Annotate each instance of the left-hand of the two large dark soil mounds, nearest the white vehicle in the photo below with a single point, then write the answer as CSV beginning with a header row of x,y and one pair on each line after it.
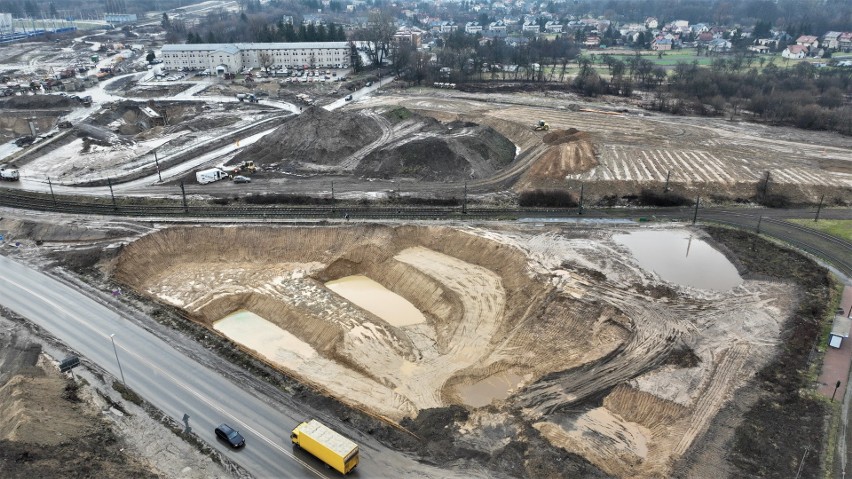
x,y
317,136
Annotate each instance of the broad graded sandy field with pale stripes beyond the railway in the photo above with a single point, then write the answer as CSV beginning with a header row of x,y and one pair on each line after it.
x,y
635,147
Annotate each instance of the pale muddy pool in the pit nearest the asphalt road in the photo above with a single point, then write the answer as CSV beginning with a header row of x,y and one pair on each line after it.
x,y
266,338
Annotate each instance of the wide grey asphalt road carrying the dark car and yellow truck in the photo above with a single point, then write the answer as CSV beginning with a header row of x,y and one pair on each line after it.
x,y
178,385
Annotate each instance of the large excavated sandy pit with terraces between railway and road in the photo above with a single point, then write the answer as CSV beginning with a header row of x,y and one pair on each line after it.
x,y
568,312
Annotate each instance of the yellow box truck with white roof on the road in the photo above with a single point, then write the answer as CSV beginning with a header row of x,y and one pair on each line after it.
x,y
330,447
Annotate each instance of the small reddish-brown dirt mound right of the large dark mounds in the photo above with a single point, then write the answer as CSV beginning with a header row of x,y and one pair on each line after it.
x,y
568,152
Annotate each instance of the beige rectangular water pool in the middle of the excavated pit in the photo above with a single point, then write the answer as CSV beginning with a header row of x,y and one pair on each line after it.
x,y
375,298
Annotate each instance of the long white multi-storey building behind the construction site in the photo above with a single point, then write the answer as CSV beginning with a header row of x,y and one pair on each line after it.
x,y
233,57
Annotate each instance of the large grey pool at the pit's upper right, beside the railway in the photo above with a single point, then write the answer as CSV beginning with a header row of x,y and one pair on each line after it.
x,y
679,257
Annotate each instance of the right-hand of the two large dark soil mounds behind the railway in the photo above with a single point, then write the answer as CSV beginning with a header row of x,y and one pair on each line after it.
x,y
459,150
